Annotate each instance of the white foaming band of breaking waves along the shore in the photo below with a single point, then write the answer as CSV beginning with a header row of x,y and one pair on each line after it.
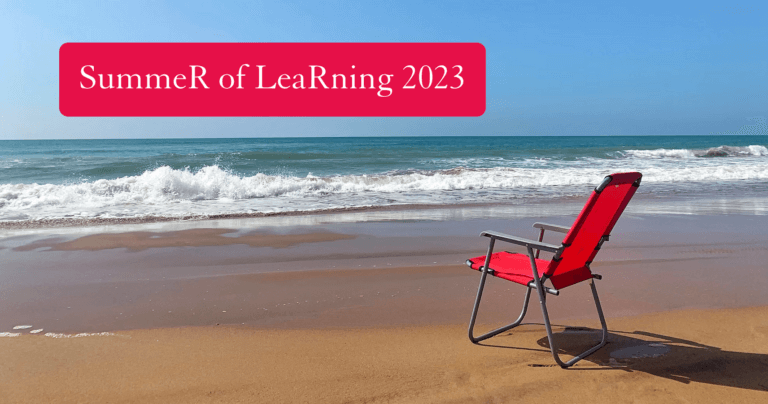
x,y
213,190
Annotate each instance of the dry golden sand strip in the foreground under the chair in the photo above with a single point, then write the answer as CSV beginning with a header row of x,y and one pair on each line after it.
x,y
710,356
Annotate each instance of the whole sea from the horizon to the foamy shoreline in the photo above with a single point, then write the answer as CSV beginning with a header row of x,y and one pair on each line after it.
x,y
176,178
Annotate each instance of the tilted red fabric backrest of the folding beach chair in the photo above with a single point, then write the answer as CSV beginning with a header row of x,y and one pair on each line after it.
x,y
591,228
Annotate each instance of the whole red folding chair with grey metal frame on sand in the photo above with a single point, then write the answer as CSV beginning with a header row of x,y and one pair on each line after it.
x,y
570,263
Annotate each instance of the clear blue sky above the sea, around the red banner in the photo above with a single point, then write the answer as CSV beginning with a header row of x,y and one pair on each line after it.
x,y
553,68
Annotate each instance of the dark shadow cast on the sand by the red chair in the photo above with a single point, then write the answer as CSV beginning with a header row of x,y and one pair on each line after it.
x,y
663,356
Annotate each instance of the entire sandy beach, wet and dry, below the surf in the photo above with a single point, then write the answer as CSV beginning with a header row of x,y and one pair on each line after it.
x,y
376,311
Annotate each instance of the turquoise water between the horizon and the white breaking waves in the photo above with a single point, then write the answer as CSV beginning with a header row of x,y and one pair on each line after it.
x,y
62,161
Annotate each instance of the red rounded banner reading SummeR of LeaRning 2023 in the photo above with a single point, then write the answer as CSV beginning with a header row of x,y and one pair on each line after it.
x,y
272,79
